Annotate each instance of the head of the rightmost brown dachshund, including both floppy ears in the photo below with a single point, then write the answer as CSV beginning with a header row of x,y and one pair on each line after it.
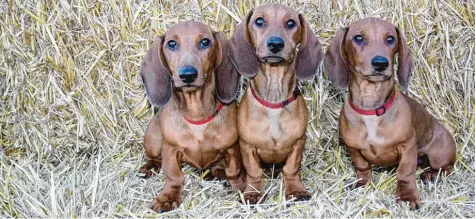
x,y
367,49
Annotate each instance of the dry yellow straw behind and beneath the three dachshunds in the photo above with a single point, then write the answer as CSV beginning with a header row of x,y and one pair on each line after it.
x,y
73,110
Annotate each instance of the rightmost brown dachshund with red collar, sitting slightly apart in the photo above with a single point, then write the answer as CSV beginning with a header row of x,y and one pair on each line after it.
x,y
379,124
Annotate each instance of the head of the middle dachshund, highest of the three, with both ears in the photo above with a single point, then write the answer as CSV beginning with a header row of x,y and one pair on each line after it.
x,y
271,34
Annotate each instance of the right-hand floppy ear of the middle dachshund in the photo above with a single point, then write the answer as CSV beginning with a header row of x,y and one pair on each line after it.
x,y
310,52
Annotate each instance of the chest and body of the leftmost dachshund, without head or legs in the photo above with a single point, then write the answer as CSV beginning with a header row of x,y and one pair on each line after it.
x,y
198,145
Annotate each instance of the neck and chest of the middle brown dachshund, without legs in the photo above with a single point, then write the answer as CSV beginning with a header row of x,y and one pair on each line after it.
x,y
273,131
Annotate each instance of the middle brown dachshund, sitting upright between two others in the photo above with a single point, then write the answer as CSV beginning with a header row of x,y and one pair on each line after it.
x,y
274,46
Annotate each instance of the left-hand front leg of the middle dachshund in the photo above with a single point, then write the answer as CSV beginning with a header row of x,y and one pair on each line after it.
x,y
254,177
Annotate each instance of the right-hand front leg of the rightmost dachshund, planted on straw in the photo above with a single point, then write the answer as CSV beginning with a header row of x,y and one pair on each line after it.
x,y
406,185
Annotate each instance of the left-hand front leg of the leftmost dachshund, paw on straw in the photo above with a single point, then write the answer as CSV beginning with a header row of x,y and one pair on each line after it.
x,y
171,196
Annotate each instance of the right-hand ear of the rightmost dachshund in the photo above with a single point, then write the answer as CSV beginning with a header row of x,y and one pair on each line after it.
x,y
405,61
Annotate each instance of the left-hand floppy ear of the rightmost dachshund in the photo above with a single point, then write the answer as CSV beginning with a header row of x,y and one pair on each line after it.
x,y
335,62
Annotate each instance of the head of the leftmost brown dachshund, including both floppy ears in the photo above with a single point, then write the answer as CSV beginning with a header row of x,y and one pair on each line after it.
x,y
184,57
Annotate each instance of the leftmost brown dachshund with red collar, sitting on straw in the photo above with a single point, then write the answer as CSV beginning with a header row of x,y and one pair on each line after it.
x,y
187,74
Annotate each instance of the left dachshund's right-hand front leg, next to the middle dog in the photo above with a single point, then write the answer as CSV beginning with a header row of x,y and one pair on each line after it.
x,y
234,168
